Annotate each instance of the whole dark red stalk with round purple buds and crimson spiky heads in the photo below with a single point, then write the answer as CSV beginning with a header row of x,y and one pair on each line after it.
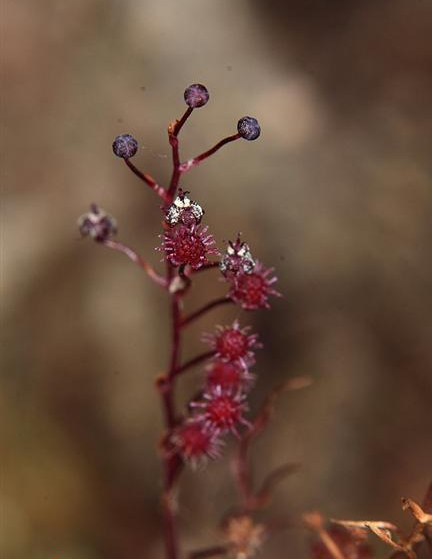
x,y
194,435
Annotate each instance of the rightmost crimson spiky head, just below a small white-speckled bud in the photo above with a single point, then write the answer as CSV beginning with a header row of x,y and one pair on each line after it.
x,y
252,291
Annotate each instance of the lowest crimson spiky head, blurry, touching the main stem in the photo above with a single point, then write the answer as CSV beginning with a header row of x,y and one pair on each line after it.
x,y
196,442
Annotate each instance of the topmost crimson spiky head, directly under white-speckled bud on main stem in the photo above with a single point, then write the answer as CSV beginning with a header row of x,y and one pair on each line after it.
x,y
188,246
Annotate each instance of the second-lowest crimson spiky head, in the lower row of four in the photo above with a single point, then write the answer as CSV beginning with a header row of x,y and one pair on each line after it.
x,y
222,410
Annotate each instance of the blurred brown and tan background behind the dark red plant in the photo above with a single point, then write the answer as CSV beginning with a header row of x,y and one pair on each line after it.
x,y
336,195
